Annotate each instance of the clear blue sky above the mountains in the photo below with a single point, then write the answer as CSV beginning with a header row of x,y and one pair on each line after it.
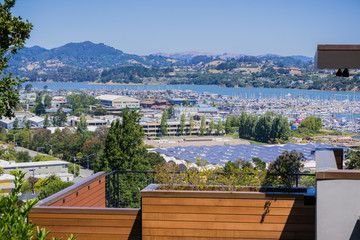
x,y
254,27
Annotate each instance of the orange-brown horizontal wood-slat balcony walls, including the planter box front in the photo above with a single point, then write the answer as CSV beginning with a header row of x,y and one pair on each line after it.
x,y
80,210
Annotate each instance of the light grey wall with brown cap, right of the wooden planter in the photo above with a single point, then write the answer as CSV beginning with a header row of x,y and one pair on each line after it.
x,y
338,205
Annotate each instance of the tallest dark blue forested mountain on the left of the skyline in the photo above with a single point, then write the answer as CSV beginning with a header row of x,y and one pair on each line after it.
x,y
85,55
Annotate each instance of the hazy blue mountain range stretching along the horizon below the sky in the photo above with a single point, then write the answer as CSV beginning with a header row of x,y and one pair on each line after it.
x,y
88,55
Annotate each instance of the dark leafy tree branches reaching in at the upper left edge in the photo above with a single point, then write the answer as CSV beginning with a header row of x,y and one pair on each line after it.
x,y
13,33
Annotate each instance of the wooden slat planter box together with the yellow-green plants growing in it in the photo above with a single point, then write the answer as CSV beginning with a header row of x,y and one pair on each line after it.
x,y
231,202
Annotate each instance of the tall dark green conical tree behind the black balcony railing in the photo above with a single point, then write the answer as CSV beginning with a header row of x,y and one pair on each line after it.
x,y
124,148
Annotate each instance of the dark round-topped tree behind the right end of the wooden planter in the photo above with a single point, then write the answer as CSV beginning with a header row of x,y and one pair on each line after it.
x,y
280,171
